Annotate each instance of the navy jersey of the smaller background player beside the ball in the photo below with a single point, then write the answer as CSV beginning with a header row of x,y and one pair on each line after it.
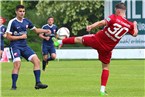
x,y
53,29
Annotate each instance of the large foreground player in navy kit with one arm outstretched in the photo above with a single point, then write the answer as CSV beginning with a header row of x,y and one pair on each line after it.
x,y
17,34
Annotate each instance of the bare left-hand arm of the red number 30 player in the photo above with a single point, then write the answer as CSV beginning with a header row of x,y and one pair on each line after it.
x,y
96,24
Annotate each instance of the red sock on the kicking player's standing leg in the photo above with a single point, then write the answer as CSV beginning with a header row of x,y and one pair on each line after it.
x,y
104,77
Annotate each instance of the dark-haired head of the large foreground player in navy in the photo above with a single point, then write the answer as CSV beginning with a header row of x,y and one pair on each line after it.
x,y
20,11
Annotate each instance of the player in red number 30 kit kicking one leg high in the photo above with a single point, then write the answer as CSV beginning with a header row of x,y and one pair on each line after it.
x,y
104,41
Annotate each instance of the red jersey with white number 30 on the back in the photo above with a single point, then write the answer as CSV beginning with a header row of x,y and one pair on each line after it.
x,y
116,28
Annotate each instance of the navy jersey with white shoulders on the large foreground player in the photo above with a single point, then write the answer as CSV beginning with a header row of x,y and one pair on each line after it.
x,y
18,28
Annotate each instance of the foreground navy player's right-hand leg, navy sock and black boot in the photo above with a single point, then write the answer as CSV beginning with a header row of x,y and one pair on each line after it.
x,y
35,60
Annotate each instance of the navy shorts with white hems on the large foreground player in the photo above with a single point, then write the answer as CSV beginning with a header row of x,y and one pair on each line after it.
x,y
18,52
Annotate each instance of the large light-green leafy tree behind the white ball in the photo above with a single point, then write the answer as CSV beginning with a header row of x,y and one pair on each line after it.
x,y
73,14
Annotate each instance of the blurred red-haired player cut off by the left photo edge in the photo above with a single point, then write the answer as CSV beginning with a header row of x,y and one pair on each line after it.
x,y
2,35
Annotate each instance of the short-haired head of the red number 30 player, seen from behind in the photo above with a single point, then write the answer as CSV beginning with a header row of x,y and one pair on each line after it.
x,y
120,9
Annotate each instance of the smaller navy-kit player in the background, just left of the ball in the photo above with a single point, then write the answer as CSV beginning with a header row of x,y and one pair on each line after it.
x,y
47,44
